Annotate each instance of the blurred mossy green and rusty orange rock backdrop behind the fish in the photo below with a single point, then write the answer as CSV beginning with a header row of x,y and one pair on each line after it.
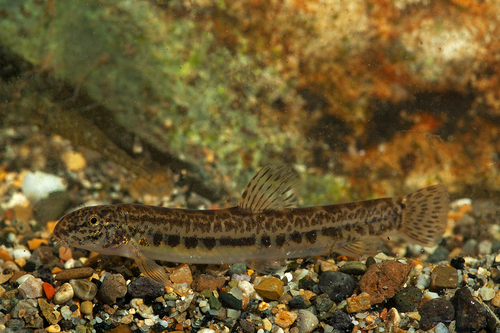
x,y
365,98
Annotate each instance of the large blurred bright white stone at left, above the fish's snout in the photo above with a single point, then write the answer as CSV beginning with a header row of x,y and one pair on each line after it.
x,y
39,185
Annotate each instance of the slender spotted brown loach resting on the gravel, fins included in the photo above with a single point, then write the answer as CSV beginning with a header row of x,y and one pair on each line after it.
x,y
263,230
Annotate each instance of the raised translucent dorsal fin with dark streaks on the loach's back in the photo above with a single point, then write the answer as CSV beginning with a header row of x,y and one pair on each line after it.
x,y
271,188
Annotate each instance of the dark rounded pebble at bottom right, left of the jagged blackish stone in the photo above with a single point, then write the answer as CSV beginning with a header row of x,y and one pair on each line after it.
x,y
436,311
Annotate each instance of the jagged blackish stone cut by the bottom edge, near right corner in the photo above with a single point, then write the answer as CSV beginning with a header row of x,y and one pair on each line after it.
x,y
470,313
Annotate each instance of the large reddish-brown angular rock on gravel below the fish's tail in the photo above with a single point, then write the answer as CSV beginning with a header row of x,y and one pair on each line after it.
x,y
383,280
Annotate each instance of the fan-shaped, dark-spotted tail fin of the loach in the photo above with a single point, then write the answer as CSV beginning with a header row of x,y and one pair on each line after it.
x,y
425,215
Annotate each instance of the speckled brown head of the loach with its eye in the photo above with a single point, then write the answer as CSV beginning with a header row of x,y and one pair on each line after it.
x,y
98,228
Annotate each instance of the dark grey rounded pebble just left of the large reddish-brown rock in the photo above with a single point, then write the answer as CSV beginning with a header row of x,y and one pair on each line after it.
x,y
337,285
